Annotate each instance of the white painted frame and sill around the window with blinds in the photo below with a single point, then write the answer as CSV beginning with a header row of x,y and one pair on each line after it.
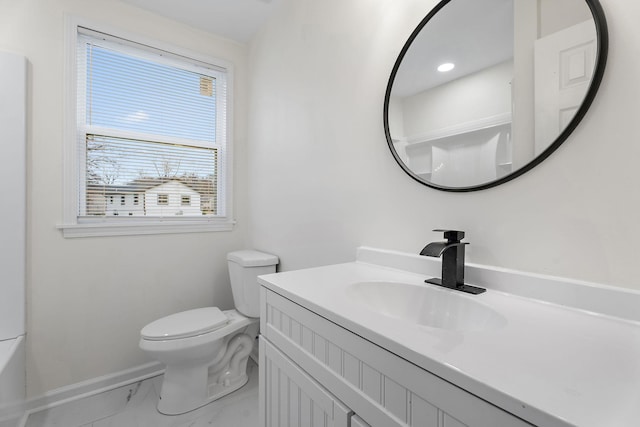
x,y
75,225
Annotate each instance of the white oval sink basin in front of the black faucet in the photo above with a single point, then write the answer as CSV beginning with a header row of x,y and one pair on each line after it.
x,y
426,305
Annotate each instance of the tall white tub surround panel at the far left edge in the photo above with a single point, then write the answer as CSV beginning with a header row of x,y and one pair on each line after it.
x,y
13,96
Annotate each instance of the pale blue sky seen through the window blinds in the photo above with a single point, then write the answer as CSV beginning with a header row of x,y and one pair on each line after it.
x,y
133,94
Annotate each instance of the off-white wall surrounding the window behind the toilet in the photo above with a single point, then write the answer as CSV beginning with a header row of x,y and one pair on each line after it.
x,y
88,298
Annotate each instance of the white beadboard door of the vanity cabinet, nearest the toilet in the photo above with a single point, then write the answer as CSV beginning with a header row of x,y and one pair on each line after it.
x,y
289,397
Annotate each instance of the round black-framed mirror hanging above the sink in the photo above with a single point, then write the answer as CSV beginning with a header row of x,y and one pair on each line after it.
x,y
484,90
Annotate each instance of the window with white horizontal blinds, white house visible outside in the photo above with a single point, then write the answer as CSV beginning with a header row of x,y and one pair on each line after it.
x,y
152,124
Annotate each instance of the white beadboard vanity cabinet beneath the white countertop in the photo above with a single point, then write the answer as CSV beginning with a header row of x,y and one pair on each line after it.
x,y
316,373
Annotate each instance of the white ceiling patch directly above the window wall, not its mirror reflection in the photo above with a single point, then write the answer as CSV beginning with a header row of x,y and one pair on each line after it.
x,y
238,20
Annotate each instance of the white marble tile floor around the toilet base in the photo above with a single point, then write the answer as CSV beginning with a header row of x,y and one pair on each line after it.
x,y
135,406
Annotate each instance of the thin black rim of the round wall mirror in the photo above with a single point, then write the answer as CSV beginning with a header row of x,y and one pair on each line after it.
x,y
602,52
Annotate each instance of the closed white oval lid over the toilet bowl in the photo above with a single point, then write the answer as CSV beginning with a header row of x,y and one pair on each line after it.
x,y
185,324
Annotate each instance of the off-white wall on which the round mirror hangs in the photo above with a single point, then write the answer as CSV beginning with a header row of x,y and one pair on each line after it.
x,y
322,180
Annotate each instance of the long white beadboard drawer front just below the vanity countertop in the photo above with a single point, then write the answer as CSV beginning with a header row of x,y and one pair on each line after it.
x,y
382,388
